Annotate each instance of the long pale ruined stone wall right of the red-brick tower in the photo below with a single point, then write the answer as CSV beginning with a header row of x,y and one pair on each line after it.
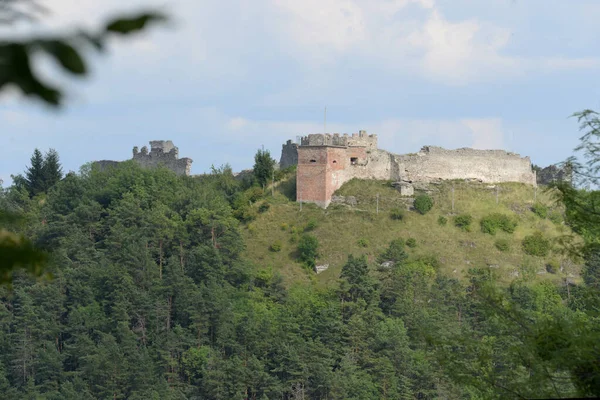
x,y
436,163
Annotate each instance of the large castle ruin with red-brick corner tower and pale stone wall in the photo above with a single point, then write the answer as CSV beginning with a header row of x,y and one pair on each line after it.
x,y
326,161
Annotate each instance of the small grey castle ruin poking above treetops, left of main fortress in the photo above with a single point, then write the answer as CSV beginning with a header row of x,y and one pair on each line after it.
x,y
162,153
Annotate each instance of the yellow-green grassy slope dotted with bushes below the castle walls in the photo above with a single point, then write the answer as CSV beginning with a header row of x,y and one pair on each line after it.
x,y
343,230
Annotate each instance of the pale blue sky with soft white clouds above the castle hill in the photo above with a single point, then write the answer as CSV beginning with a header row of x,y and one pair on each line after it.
x,y
225,78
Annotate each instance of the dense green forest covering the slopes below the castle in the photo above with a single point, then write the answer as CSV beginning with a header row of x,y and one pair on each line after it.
x,y
155,294
